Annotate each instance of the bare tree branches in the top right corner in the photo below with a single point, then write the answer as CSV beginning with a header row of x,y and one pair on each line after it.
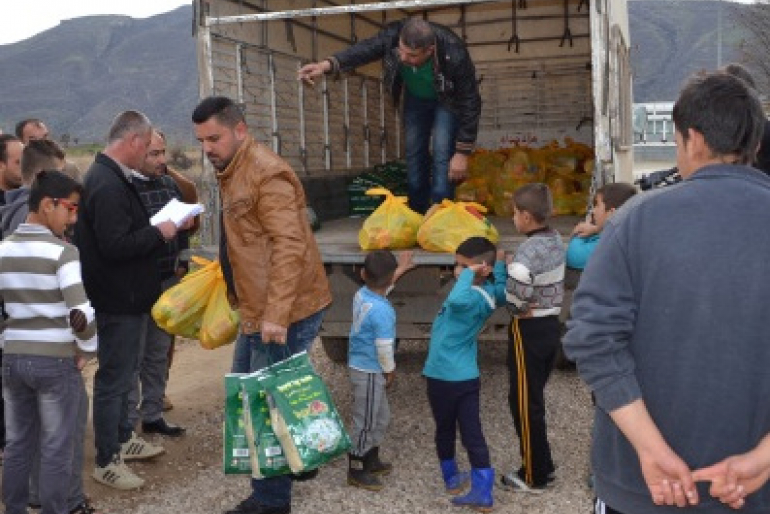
x,y
755,20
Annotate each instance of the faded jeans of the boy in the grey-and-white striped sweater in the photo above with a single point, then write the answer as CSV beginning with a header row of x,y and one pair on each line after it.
x,y
41,394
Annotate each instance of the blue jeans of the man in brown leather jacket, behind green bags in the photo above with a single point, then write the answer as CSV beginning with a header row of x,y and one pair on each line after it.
x,y
251,354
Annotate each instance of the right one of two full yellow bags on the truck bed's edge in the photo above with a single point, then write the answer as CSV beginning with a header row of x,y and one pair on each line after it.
x,y
451,223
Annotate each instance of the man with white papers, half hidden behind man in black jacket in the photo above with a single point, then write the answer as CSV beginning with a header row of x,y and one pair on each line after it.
x,y
157,191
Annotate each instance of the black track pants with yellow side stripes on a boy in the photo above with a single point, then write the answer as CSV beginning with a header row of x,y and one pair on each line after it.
x,y
539,342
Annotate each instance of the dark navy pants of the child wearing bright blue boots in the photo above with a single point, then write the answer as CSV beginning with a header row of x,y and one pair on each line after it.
x,y
456,404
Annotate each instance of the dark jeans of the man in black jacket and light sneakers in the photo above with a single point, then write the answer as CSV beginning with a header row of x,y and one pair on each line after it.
x,y
120,336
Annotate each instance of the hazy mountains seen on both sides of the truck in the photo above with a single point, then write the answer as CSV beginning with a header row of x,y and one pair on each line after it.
x,y
78,75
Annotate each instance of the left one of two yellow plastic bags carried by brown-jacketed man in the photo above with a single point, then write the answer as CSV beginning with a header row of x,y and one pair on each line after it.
x,y
179,310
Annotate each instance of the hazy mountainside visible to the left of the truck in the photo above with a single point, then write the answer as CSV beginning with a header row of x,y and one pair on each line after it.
x,y
79,75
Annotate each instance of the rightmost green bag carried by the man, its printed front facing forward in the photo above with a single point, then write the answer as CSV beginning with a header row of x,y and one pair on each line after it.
x,y
303,414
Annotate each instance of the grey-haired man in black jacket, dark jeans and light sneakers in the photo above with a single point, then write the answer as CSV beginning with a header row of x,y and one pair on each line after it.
x,y
119,252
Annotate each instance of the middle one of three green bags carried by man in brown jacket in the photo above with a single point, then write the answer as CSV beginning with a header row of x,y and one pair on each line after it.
x,y
267,456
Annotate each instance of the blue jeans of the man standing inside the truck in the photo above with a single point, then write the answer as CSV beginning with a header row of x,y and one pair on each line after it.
x,y
423,118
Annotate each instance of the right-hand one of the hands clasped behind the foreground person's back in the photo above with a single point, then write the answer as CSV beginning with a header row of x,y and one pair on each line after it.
x,y
735,477
